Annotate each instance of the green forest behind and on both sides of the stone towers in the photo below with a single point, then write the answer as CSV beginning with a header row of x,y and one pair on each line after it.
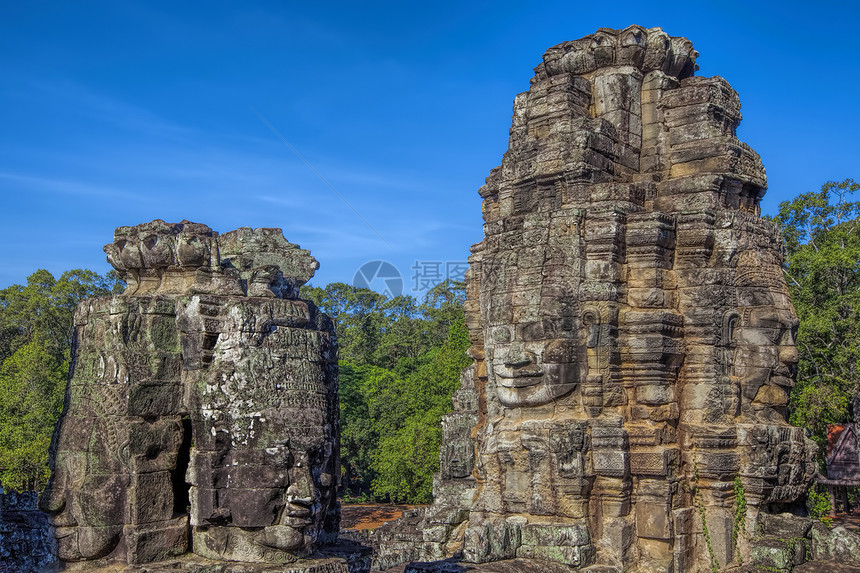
x,y
400,358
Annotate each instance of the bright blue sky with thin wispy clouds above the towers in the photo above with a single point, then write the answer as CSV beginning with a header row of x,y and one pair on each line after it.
x,y
116,113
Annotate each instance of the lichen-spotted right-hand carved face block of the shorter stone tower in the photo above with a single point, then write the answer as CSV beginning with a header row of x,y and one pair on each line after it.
x,y
264,469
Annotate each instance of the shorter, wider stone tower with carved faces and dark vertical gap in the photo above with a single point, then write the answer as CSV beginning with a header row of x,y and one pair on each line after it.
x,y
201,413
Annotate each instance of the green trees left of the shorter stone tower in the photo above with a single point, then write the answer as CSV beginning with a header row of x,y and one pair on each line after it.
x,y
35,341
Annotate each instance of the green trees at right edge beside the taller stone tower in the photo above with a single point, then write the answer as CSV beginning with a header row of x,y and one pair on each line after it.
x,y
822,267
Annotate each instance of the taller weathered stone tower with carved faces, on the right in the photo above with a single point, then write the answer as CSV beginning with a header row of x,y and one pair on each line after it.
x,y
632,334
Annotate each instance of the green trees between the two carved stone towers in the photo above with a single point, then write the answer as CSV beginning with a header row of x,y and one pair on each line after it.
x,y
399,364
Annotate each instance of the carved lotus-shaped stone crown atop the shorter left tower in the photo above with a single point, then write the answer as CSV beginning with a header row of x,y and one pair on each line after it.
x,y
191,258
